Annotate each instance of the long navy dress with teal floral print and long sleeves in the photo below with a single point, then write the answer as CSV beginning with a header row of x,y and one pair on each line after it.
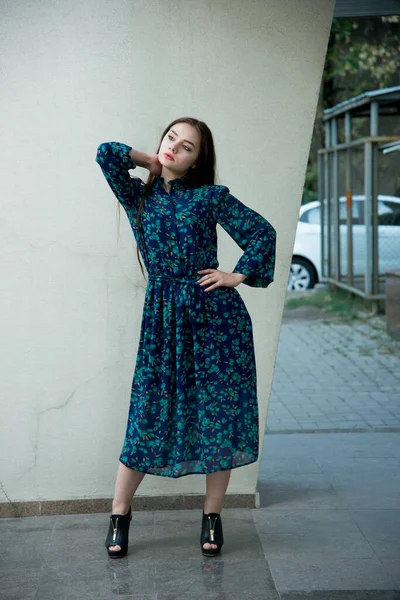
x,y
193,406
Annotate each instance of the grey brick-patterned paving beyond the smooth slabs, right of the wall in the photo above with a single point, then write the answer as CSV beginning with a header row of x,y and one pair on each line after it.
x,y
335,376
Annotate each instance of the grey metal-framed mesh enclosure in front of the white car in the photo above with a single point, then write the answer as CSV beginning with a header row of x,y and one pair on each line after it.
x,y
337,162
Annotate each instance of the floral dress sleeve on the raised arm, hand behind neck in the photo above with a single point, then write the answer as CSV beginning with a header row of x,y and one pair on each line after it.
x,y
115,162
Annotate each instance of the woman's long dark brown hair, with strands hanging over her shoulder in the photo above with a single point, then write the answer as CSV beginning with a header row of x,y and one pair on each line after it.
x,y
202,174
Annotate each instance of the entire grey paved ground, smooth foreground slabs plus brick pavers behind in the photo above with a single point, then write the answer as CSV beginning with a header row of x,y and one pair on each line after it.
x,y
328,527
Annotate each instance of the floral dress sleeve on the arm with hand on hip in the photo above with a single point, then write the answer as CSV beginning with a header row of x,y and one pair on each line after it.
x,y
253,234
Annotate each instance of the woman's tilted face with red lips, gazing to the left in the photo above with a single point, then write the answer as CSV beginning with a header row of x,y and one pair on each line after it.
x,y
182,144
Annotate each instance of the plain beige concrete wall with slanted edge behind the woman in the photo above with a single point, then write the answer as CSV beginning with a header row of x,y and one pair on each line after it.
x,y
80,73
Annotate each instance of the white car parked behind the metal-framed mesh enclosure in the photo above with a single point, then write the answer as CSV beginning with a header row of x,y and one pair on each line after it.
x,y
305,270
